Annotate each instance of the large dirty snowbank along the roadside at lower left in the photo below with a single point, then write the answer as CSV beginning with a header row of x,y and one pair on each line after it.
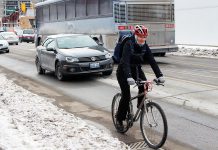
x,y
28,121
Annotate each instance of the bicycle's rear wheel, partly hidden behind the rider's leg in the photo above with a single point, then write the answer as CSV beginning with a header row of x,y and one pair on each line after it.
x,y
114,108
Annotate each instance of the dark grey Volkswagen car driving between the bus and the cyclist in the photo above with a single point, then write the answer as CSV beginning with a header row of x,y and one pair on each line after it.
x,y
70,54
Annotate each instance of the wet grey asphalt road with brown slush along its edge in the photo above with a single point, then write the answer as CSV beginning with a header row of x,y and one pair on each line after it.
x,y
90,98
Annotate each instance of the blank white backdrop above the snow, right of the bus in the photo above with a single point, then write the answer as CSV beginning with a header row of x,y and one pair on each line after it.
x,y
196,22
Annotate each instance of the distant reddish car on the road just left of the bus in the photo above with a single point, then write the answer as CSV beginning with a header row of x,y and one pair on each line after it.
x,y
28,36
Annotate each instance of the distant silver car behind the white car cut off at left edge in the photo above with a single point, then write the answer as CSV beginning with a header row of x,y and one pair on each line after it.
x,y
11,37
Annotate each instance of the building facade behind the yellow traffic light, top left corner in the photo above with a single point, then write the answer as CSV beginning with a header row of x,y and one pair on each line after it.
x,y
17,13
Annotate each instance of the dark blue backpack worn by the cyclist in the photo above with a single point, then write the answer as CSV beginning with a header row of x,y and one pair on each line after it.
x,y
123,37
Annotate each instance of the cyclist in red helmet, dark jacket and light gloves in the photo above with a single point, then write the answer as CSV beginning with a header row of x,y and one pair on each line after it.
x,y
135,52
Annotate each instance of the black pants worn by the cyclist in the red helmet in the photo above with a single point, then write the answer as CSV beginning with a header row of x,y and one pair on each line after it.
x,y
125,90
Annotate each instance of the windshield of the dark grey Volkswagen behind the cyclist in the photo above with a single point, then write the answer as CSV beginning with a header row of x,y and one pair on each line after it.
x,y
69,42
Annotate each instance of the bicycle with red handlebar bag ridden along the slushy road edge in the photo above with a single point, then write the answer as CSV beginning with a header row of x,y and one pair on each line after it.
x,y
147,112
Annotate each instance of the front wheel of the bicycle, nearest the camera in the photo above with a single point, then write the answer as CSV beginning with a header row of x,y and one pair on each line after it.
x,y
153,125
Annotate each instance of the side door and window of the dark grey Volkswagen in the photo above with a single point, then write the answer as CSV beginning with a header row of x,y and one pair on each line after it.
x,y
51,55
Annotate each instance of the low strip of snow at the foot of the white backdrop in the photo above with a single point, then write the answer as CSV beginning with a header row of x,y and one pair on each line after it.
x,y
198,51
